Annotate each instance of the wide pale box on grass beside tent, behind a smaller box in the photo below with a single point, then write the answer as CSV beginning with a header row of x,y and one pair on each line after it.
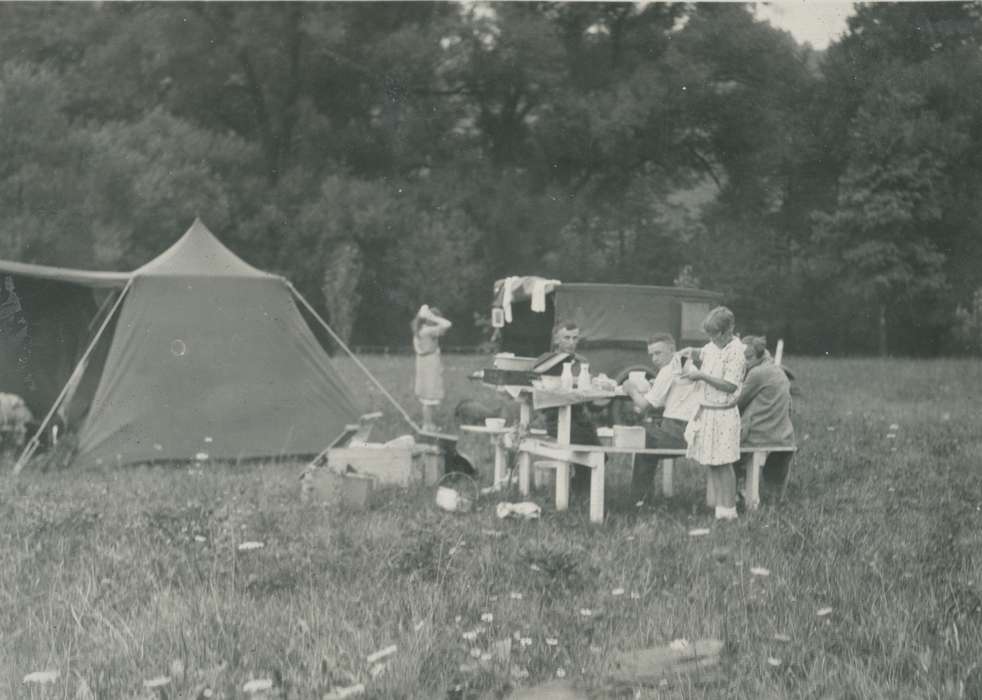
x,y
402,466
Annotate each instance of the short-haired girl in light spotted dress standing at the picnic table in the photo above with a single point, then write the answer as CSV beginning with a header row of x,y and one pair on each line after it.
x,y
713,435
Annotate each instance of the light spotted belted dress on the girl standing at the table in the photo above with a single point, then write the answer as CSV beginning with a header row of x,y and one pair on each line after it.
x,y
713,434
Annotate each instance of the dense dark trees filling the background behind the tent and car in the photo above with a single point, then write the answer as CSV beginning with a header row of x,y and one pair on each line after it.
x,y
382,155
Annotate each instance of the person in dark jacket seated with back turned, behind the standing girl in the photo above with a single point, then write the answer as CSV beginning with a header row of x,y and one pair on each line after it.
x,y
765,410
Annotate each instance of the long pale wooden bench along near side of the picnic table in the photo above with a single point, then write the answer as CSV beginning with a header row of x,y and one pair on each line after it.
x,y
595,457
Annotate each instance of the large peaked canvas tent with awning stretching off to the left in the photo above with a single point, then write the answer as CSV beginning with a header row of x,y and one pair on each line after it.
x,y
203,355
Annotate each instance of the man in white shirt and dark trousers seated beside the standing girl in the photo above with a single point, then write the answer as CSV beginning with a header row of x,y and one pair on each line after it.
x,y
671,391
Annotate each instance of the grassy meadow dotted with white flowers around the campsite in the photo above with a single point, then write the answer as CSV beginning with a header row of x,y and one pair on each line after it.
x,y
116,578
